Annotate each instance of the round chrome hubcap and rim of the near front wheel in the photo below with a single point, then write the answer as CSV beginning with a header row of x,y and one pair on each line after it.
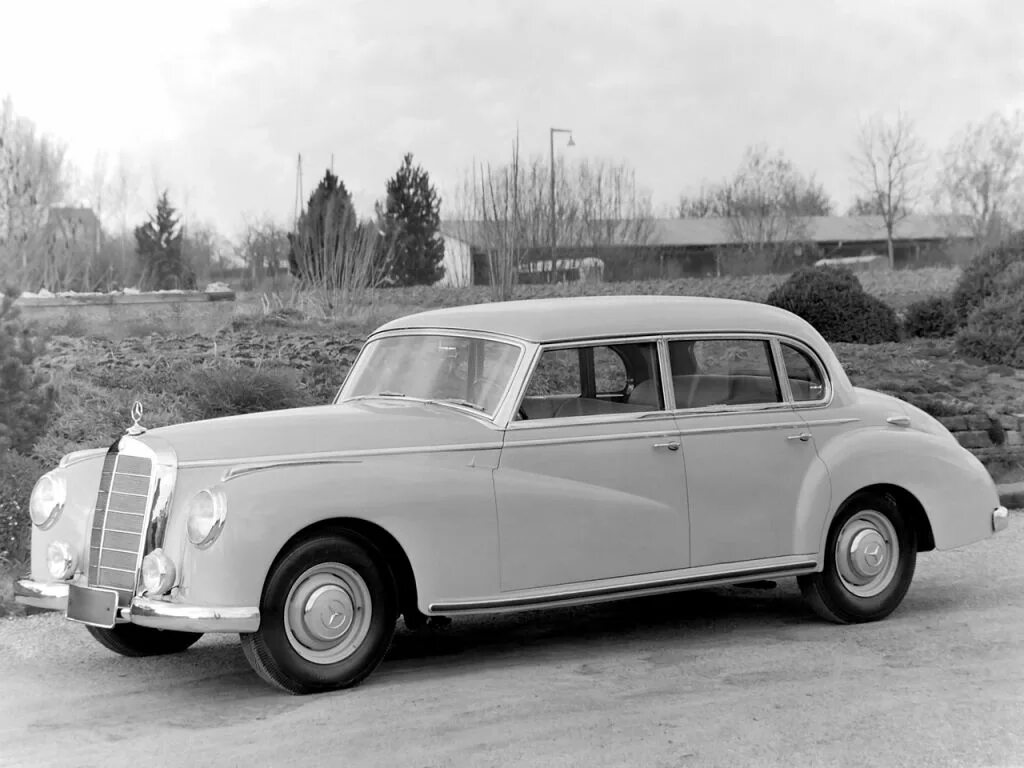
x,y
327,614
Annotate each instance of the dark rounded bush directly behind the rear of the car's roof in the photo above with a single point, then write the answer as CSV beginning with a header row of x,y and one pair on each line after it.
x,y
832,300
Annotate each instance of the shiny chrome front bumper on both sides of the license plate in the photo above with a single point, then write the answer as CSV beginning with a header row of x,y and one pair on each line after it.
x,y
148,612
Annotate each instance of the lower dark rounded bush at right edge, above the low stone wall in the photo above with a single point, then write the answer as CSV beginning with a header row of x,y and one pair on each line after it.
x,y
995,332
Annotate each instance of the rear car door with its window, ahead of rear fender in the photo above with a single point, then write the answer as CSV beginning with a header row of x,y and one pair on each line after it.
x,y
748,452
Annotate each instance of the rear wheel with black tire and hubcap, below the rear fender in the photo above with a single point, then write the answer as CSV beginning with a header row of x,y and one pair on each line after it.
x,y
835,593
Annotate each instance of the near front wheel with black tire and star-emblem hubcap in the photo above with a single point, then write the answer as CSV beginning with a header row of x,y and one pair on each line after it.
x,y
334,575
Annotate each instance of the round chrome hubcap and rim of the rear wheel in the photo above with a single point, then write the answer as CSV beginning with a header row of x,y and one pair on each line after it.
x,y
867,553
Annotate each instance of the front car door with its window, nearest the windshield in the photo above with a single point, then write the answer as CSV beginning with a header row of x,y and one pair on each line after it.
x,y
591,484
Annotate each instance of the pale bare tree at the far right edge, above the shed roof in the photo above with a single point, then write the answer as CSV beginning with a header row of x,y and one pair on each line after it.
x,y
983,177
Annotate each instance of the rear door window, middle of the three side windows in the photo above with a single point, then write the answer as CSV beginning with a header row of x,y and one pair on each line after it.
x,y
723,372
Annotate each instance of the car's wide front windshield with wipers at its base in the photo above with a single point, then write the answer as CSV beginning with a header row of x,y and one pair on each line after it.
x,y
458,370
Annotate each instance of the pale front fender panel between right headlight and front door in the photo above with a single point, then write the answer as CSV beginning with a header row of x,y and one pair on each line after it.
x,y
440,508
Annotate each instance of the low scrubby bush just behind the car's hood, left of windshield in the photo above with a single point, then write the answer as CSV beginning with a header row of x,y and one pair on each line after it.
x,y
230,389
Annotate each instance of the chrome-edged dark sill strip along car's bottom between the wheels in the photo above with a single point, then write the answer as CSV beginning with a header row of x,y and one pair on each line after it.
x,y
596,594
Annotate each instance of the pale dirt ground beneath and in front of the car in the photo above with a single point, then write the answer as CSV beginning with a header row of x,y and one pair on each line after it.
x,y
727,677
